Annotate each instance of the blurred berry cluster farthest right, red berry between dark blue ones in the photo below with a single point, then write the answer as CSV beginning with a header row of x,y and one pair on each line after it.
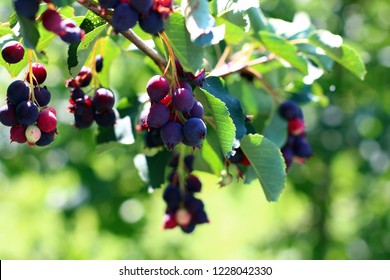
x,y
296,147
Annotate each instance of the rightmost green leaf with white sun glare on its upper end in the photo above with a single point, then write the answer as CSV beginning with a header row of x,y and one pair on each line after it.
x,y
340,52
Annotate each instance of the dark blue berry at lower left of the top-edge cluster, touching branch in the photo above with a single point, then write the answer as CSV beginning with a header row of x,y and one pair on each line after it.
x,y
124,17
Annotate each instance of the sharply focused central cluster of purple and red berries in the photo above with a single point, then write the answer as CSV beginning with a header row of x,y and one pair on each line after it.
x,y
175,113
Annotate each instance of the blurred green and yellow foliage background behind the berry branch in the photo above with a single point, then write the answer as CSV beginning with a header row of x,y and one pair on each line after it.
x,y
68,201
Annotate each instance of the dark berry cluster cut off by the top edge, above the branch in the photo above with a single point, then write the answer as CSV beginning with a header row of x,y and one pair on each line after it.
x,y
149,13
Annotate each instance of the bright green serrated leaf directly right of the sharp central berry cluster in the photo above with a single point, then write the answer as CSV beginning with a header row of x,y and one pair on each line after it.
x,y
217,115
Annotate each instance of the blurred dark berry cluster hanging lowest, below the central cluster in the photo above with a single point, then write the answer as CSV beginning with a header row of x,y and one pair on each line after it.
x,y
183,208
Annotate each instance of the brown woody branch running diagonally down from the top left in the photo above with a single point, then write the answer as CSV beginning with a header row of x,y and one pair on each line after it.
x,y
129,34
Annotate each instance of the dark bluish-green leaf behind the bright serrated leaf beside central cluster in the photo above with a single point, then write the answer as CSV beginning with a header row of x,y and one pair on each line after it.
x,y
217,87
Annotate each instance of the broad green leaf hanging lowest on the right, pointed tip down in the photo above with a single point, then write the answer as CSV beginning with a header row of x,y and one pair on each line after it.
x,y
267,162
